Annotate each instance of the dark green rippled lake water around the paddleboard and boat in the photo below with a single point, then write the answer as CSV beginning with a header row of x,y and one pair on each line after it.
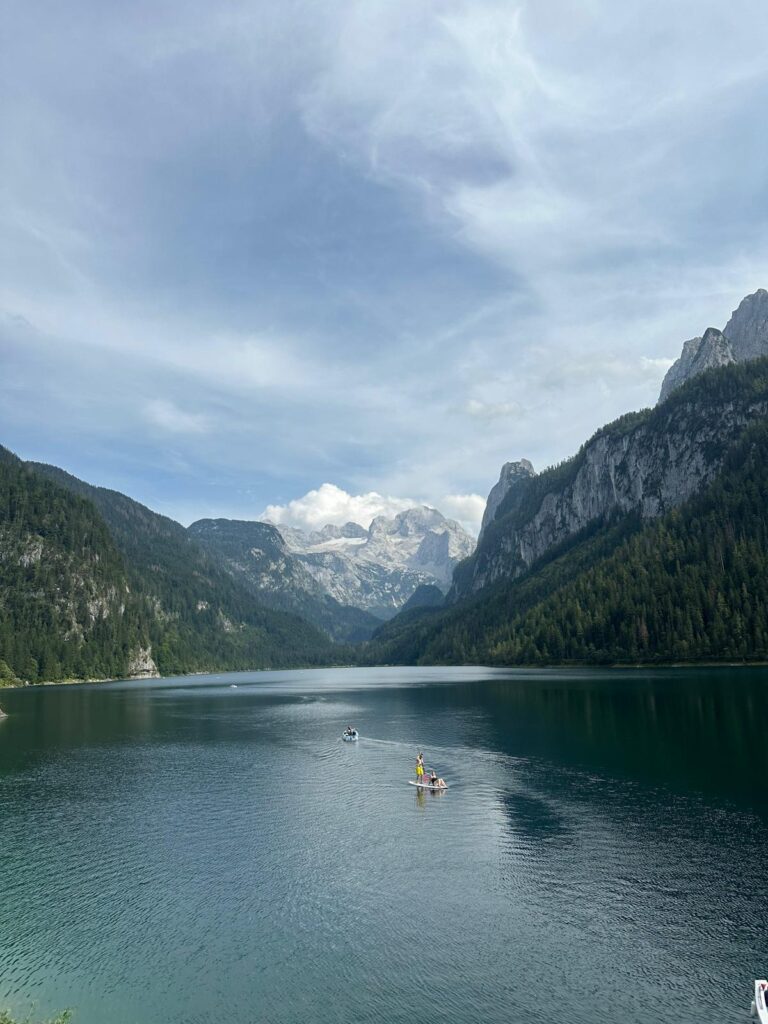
x,y
181,851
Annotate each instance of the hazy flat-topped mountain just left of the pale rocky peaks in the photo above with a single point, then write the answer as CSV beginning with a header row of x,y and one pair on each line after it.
x,y
257,554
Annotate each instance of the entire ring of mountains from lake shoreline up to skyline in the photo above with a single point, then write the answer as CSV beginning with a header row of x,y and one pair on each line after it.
x,y
649,545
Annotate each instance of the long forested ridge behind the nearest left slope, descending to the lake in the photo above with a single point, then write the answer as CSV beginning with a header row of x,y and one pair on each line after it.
x,y
189,613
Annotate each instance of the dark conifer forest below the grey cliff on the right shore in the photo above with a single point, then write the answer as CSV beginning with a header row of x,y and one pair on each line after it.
x,y
691,587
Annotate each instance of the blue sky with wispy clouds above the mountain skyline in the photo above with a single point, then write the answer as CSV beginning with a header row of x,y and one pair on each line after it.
x,y
323,261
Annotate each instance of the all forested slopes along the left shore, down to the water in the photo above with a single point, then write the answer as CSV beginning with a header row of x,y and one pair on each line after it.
x,y
96,584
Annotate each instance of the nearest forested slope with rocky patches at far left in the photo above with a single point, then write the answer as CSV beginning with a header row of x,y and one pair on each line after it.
x,y
67,609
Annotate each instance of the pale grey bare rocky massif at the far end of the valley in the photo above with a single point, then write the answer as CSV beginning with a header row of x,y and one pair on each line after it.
x,y
379,569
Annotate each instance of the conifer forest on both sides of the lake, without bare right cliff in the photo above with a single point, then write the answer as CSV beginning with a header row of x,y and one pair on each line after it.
x,y
95,585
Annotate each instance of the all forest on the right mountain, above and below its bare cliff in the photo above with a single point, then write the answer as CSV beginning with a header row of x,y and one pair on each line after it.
x,y
690,585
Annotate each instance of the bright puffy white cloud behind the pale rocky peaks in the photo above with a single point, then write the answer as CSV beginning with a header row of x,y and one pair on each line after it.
x,y
329,504
